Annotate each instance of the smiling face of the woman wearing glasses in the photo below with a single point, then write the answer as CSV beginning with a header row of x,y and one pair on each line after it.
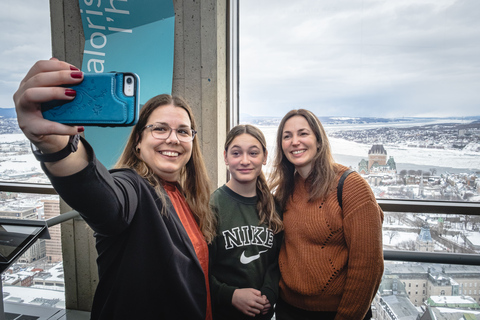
x,y
166,157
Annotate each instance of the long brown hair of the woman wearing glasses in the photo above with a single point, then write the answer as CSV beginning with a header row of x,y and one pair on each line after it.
x,y
193,177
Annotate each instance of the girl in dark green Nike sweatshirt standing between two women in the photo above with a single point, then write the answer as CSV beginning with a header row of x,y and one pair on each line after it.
x,y
243,256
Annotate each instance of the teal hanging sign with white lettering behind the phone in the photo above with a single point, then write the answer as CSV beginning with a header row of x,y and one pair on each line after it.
x,y
127,36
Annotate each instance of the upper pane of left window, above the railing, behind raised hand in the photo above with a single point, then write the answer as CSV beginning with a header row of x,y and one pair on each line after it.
x,y
25,37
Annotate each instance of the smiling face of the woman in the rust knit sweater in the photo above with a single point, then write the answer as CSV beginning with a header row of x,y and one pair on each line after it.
x,y
299,144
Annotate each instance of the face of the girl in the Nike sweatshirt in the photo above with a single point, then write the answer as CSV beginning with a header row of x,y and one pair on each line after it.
x,y
244,158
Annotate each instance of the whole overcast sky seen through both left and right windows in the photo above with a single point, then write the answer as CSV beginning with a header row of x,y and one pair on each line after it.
x,y
339,57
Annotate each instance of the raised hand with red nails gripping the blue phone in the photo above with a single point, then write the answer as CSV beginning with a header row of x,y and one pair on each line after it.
x,y
41,84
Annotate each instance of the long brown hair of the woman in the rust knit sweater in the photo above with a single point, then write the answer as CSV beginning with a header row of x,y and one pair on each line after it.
x,y
323,173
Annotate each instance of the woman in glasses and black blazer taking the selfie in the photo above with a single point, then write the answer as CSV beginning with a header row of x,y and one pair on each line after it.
x,y
150,215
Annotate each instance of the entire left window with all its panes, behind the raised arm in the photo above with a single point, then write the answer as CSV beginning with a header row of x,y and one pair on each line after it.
x,y
38,274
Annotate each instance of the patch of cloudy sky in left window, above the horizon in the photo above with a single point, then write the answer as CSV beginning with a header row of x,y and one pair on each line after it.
x,y
25,38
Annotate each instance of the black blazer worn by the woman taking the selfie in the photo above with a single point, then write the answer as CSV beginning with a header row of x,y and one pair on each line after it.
x,y
147,265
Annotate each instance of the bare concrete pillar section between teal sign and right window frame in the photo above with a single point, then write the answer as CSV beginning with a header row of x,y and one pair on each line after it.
x,y
200,74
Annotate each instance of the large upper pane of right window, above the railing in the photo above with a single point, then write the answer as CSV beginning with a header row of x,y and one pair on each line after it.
x,y
395,84
